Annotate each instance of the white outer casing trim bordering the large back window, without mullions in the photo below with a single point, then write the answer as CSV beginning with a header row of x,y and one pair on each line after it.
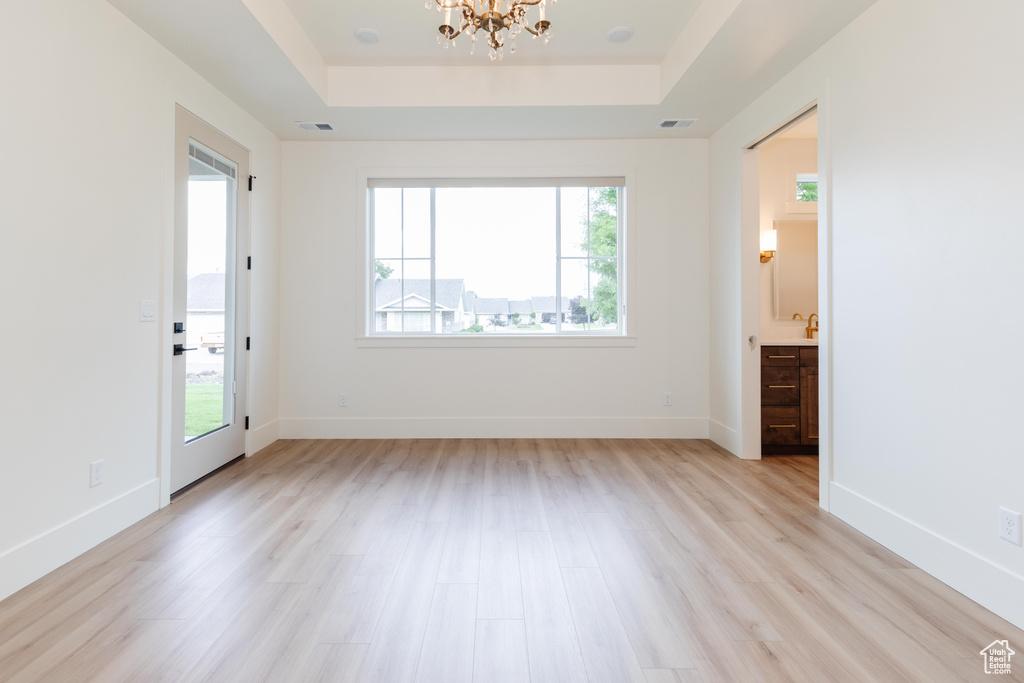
x,y
626,336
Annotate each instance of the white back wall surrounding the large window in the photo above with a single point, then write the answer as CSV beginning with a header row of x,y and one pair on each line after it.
x,y
513,392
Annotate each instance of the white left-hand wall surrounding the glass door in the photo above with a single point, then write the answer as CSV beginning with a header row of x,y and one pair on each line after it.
x,y
87,130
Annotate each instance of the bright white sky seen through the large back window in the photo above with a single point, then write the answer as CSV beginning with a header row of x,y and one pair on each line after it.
x,y
501,241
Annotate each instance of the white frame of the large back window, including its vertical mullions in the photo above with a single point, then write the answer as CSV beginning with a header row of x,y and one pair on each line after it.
x,y
623,335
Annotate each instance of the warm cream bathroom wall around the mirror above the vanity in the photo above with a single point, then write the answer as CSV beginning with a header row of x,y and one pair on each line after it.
x,y
779,163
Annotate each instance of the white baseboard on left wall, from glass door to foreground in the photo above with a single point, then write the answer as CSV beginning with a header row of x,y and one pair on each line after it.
x,y
37,558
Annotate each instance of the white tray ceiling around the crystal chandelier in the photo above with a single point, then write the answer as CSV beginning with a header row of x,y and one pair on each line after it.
x,y
288,61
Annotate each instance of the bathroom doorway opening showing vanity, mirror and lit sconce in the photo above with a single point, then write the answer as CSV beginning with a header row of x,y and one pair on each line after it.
x,y
784,195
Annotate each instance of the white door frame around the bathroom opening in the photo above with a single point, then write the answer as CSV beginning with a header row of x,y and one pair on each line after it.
x,y
750,248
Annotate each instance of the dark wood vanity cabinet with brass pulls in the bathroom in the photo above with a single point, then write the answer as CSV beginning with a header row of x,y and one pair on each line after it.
x,y
789,401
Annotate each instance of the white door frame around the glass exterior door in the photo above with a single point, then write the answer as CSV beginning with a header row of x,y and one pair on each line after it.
x,y
165,382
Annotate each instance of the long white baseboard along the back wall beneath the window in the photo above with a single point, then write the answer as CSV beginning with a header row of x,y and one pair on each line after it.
x,y
494,429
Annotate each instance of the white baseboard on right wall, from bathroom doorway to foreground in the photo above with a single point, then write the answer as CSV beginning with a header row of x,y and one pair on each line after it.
x,y
994,587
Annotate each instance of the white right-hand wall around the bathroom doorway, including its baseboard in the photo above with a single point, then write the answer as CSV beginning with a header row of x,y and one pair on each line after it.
x,y
922,103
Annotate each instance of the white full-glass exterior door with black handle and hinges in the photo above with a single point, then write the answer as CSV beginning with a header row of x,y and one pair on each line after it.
x,y
210,302
